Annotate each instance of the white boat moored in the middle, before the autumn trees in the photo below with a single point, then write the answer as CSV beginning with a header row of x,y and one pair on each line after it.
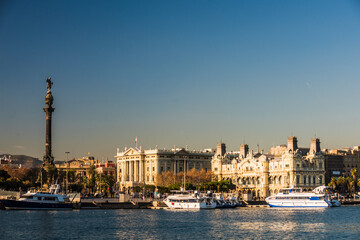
x,y
185,200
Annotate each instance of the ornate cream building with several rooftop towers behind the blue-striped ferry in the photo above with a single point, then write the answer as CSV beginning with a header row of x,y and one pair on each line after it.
x,y
265,174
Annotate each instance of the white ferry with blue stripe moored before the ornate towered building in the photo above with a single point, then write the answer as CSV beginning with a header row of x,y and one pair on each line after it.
x,y
295,197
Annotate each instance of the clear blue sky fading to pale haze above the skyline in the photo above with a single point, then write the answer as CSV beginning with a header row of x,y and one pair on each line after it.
x,y
178,73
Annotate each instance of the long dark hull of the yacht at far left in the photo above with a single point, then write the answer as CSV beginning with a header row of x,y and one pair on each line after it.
x,y
27,205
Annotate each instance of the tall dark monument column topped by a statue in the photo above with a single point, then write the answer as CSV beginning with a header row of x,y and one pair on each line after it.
x,y
48,160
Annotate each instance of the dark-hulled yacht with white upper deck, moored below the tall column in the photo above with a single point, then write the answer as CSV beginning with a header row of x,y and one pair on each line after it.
x,y
39,200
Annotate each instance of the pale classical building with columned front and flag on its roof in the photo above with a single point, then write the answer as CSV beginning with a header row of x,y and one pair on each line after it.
x,y
136,167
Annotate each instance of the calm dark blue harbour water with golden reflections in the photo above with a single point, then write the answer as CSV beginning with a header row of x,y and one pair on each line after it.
x,y
240,223
